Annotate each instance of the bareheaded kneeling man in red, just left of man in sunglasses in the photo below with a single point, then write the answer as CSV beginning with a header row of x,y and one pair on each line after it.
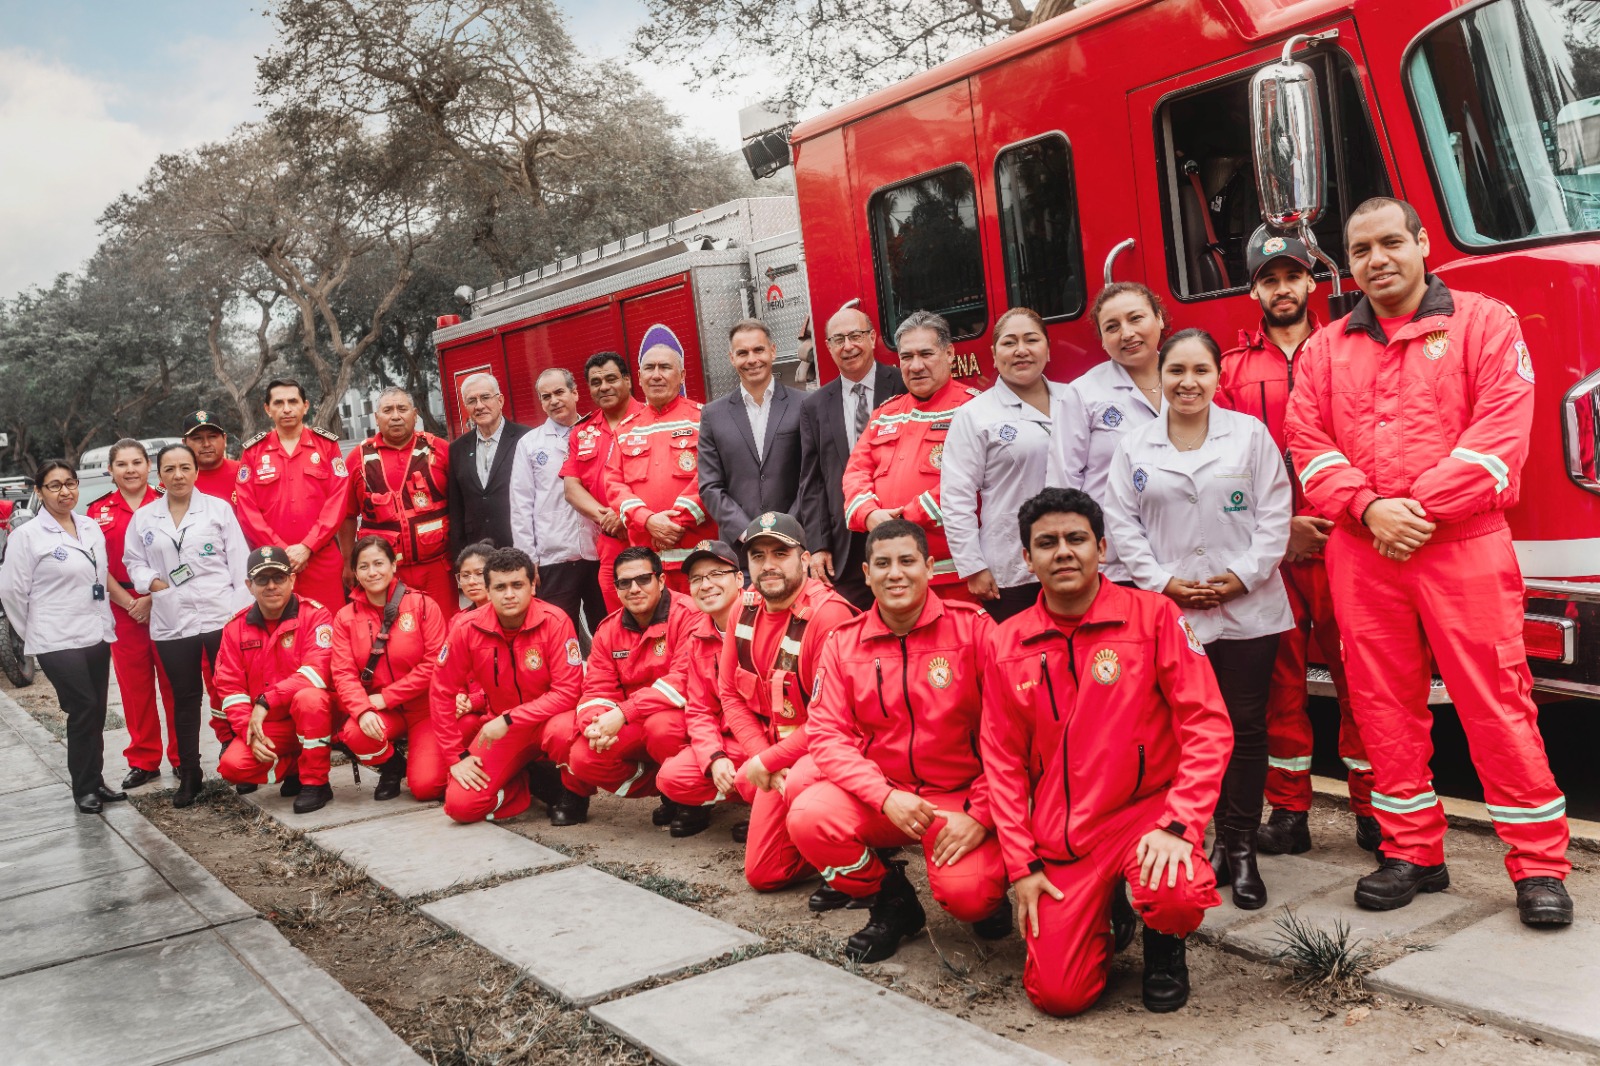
x,y
524,655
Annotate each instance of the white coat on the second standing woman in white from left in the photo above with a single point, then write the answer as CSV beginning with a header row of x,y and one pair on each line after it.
x,y
210,543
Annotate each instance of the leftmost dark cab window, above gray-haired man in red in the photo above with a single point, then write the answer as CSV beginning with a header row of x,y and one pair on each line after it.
x,y
927,252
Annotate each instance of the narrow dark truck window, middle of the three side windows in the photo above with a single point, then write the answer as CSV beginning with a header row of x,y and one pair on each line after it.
x,y
1039,228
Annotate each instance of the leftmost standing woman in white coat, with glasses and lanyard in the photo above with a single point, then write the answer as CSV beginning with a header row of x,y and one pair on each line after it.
x,y
54,587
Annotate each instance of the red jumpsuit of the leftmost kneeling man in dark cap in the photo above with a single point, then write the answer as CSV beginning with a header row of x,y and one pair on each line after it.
x,y
284,665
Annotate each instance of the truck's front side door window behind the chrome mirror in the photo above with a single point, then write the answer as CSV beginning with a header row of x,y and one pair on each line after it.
x,y
1212,207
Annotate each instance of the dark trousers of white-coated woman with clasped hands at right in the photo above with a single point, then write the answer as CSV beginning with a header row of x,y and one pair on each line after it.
x,y
1244,673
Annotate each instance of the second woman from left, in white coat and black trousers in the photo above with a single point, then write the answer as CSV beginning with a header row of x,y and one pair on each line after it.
x,y
188,555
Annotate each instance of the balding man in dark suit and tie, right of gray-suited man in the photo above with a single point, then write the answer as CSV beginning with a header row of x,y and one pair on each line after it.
x,y
831,420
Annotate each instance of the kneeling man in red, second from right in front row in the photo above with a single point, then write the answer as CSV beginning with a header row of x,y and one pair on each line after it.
x,y
895,740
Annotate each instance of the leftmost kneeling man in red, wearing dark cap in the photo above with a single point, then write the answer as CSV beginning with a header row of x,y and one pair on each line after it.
x,y
273,675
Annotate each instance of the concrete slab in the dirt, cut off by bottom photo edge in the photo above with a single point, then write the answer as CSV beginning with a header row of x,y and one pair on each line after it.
x,y
730,1017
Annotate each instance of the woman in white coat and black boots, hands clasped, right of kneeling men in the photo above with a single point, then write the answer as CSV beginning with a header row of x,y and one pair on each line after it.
x,y
1199,505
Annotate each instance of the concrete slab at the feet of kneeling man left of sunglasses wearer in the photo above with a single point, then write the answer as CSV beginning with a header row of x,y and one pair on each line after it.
x,y
423,851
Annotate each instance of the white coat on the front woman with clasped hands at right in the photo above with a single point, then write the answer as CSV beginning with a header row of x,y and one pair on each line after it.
x,y
1194,515
